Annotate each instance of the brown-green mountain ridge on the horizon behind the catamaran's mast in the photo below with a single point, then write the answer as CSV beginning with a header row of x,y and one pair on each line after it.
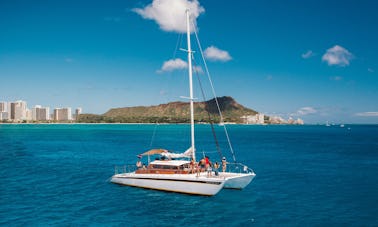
x,y
176,112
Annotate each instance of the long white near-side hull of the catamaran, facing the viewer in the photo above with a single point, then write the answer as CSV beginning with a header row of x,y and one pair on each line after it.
x,y
187,183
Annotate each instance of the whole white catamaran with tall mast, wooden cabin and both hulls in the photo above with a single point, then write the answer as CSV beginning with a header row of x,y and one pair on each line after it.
x,y
180,175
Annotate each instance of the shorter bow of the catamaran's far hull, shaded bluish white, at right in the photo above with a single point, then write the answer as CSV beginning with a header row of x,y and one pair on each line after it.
x,y
237,180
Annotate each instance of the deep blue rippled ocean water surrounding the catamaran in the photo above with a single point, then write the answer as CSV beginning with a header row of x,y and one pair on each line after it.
x,y
306,175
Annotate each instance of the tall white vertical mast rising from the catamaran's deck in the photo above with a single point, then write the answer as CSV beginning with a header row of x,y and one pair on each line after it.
x,y
190,85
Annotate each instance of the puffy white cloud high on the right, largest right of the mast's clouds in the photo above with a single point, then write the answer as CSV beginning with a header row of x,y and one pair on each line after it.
x,y
337,55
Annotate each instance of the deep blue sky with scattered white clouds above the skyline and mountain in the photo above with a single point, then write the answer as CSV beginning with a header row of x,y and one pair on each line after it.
x,y
317,60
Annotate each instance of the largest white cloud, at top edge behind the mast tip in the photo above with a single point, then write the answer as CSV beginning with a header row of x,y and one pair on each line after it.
x,y
170,14
